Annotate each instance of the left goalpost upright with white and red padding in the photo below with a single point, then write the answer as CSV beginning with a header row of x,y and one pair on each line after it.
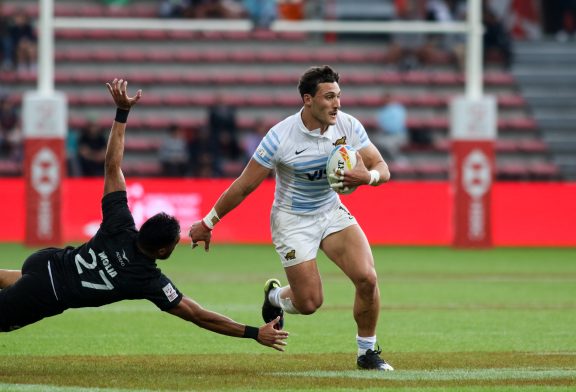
x,y
44,123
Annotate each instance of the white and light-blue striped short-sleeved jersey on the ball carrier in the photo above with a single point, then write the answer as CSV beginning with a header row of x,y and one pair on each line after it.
x,y
299,158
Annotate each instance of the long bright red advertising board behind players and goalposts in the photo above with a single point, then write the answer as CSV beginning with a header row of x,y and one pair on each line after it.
x,y
398,213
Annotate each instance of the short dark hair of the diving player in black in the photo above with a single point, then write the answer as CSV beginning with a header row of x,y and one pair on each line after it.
x,y
159,231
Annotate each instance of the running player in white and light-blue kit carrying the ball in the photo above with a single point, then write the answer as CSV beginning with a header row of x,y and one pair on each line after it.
x,y
307,214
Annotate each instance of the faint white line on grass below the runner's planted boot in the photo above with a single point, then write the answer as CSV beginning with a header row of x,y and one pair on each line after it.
x,y
441,375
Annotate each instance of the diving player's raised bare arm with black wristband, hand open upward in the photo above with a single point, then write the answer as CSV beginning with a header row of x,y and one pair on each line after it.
x,y
113,176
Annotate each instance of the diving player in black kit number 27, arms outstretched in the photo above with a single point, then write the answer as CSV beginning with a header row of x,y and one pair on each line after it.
x,y
118,263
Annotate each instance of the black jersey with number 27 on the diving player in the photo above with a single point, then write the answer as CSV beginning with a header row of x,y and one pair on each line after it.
x,y
109,267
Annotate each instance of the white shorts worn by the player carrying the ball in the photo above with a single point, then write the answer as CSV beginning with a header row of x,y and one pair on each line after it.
x,y
297,237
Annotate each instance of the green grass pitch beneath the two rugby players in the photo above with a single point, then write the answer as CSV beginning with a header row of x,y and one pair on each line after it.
x,y
451,320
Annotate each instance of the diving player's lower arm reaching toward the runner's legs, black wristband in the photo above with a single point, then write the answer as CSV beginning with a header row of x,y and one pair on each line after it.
x,y
266,335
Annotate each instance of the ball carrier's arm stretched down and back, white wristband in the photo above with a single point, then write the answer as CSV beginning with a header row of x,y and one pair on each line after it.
x,y
252,176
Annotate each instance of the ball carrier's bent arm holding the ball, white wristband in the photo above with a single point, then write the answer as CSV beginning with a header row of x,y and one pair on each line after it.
x,y
370,169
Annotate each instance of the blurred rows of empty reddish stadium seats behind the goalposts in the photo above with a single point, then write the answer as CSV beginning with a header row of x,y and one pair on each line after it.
x,y
182,73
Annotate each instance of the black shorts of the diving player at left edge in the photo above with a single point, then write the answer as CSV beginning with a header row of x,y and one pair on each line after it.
x,y
32,297
